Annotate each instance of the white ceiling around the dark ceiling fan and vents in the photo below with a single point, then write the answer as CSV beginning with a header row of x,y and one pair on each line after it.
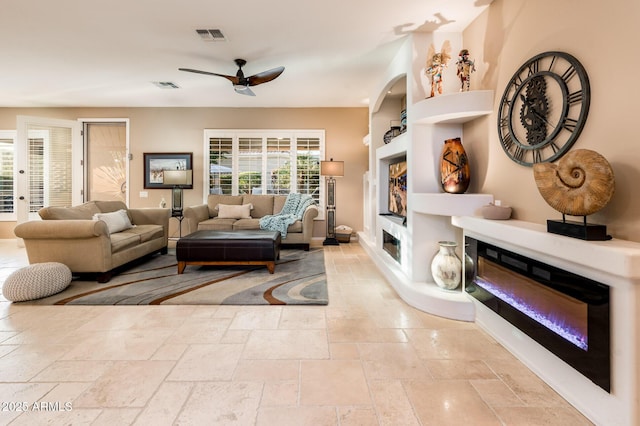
x,y
94,53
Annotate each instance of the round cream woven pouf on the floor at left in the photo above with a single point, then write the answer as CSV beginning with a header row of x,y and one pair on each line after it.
x,y
36,281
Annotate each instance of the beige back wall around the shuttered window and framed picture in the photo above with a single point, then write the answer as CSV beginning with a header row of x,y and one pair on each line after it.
x,y
181,130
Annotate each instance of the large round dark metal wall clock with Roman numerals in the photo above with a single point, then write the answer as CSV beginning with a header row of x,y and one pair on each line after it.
x,y
544,108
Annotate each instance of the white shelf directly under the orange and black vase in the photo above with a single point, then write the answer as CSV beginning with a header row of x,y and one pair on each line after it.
x,y
445,204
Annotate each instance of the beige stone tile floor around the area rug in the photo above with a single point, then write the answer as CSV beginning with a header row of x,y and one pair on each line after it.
x,y
365,359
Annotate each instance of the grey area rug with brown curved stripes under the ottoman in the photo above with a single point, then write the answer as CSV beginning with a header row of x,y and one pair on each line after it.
x,y
299,279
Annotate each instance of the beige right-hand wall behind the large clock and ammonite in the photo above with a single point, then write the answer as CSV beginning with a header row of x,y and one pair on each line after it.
x,y
604,39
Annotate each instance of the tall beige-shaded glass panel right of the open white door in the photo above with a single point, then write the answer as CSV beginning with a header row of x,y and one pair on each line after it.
x,y
106,160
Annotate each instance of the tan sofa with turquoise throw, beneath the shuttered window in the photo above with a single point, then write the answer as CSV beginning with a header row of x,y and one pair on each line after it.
x,y
205,216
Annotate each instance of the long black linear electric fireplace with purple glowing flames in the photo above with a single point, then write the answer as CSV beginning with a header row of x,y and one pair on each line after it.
x,y
566,313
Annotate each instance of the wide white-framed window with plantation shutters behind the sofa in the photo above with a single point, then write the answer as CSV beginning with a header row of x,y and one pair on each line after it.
x,y
265,162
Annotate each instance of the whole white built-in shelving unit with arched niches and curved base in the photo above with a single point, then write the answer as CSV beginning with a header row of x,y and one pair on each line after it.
x,y
429,122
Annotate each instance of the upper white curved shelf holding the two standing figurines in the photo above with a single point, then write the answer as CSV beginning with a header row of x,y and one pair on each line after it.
x,y
453,108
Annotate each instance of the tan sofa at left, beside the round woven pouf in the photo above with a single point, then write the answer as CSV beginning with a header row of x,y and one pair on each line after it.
x,y
69,235
